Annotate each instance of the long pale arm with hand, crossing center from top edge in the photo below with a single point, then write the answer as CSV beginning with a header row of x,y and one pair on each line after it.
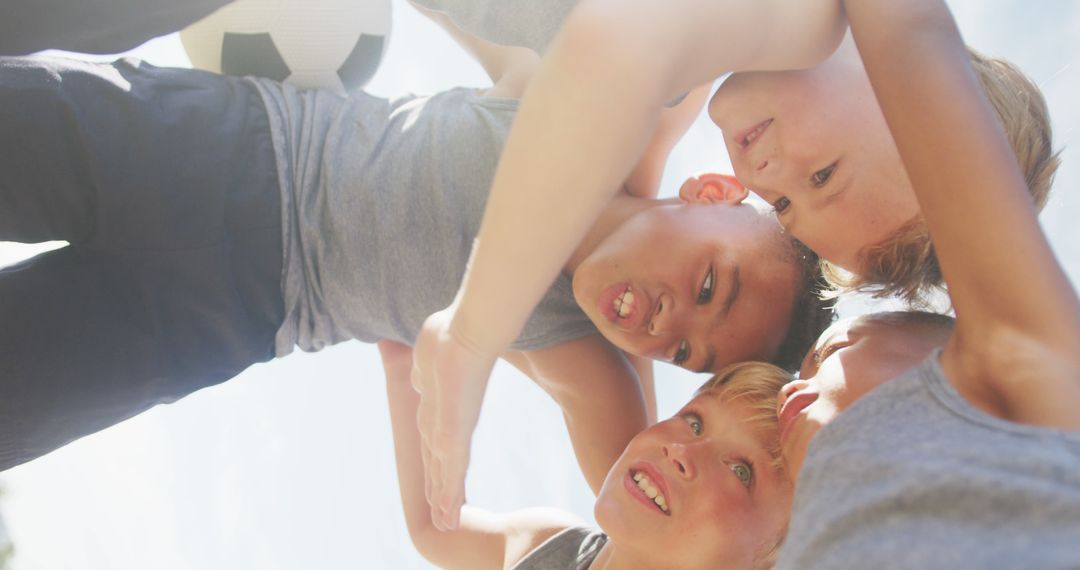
x,y
585,121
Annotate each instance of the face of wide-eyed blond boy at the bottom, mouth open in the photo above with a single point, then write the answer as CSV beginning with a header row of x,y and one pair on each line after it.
x,y
717,497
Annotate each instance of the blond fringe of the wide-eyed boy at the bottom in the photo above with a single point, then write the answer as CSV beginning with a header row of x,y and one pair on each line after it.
x,y
757,386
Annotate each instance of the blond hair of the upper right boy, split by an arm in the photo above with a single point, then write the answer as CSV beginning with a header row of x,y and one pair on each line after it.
x,y
904,264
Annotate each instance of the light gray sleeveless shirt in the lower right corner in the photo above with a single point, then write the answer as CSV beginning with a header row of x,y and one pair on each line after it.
x,y
914,477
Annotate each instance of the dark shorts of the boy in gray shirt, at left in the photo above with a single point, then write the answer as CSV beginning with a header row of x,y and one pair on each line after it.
x,y
165,184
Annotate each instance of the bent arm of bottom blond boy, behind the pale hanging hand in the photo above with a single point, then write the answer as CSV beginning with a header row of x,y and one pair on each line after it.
x,y
484,540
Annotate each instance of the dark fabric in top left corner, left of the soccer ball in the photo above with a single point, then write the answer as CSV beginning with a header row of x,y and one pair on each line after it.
x,y
94,26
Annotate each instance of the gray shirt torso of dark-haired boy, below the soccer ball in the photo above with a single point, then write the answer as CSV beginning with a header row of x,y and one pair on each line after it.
x,y
382,202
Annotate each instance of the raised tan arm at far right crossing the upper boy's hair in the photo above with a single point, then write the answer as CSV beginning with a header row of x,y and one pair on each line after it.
x,y
1015,349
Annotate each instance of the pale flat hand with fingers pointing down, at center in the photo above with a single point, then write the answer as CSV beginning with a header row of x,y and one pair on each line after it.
x,y
451,376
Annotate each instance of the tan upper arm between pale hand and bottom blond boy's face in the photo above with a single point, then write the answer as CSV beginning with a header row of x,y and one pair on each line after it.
x,y
600,395
